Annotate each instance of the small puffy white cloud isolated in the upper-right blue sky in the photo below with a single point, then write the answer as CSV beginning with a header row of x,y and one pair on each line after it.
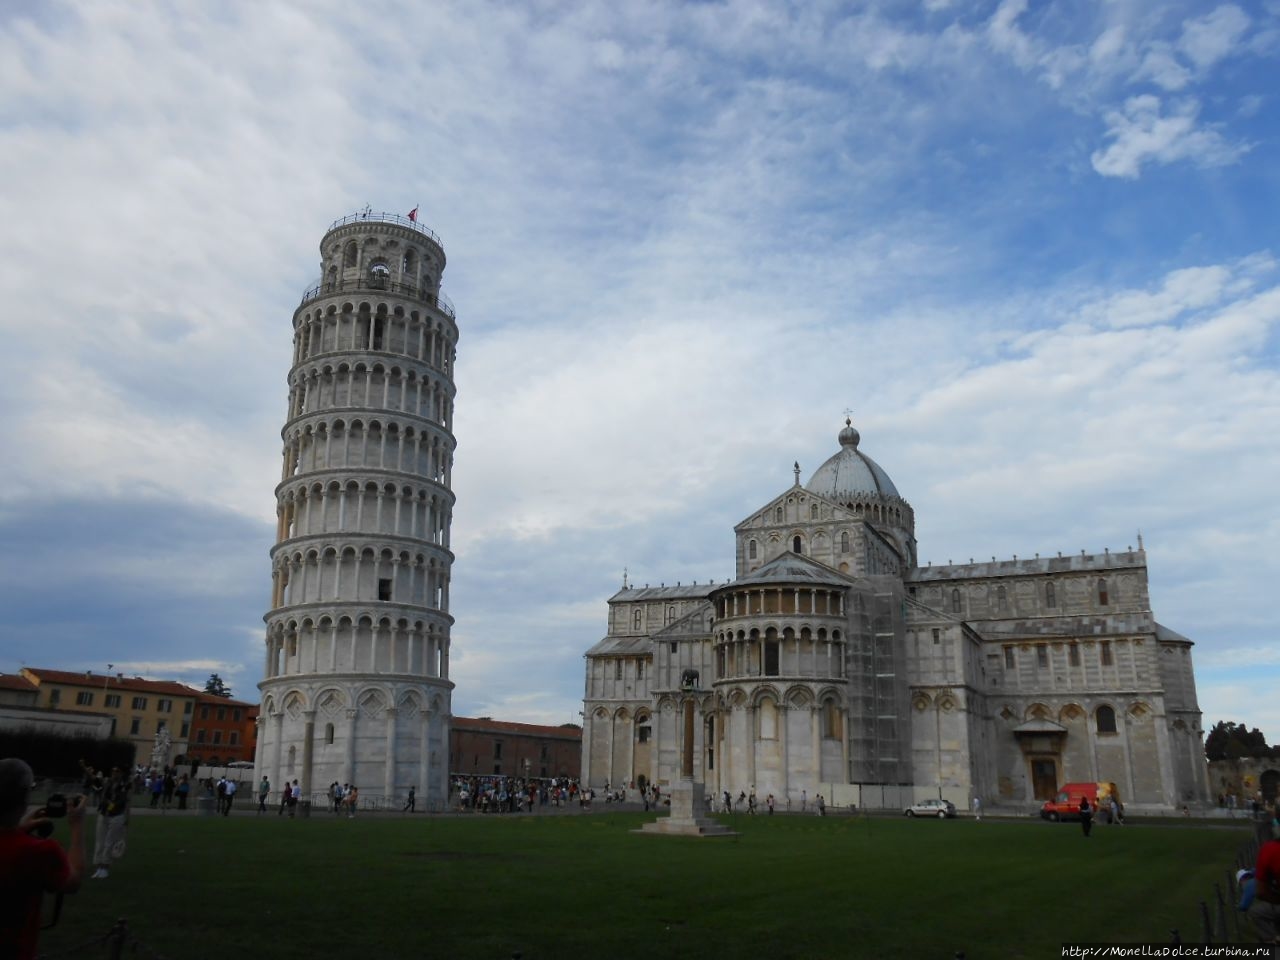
x,y
1142,134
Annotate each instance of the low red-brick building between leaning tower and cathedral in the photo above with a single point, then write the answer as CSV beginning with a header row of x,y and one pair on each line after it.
x,y
487,747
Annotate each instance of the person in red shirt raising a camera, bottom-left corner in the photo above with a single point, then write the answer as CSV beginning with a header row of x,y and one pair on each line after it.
x,y
31,866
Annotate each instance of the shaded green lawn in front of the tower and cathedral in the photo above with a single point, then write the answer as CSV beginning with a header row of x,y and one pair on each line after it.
x,y
586,886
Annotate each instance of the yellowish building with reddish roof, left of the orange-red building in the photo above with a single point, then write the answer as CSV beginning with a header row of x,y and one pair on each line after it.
x,y
138,708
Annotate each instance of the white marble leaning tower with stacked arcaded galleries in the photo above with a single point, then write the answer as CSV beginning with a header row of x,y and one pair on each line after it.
x,y
356,687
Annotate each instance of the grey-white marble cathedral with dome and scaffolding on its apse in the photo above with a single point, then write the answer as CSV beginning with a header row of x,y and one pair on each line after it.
x,y
834,664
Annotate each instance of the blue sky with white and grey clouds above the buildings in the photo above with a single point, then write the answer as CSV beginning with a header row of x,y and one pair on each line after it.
x,y
1032,246
